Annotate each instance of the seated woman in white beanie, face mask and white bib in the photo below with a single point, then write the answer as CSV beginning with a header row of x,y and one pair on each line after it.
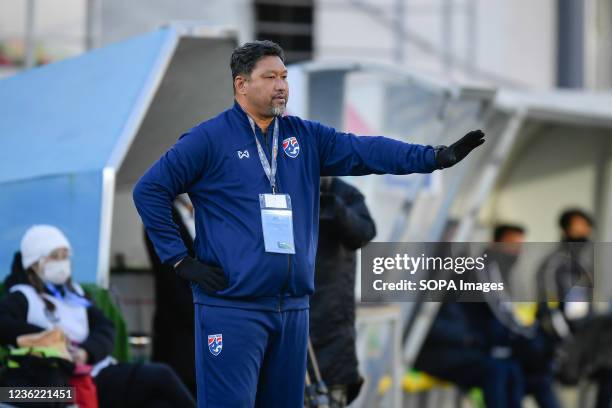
x,y
43,296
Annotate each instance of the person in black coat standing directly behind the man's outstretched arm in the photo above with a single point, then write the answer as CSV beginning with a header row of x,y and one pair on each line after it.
x,y
345,225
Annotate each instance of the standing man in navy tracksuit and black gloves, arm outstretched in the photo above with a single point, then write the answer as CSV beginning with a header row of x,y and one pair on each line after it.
x,y
251,306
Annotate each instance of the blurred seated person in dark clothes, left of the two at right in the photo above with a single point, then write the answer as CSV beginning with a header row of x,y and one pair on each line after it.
x,y
471,343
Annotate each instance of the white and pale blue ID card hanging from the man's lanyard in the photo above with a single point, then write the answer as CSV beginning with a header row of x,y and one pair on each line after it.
x,y
277,223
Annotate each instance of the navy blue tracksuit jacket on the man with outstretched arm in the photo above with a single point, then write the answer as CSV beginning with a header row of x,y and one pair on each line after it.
x,y
224,187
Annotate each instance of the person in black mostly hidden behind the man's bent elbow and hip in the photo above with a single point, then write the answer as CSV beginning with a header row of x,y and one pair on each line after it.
x,y
173,322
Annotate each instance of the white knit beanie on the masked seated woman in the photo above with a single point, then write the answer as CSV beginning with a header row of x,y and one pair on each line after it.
x,y
39,241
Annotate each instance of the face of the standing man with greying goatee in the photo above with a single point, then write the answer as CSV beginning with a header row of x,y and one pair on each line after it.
x,y
266,89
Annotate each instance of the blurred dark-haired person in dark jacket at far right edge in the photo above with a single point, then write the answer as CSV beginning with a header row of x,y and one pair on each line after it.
x,y
565,286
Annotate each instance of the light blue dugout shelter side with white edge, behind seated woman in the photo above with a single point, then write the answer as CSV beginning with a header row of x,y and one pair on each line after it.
x,y
61,126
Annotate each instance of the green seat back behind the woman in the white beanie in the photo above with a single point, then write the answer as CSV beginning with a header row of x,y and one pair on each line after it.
x,y
103,301
